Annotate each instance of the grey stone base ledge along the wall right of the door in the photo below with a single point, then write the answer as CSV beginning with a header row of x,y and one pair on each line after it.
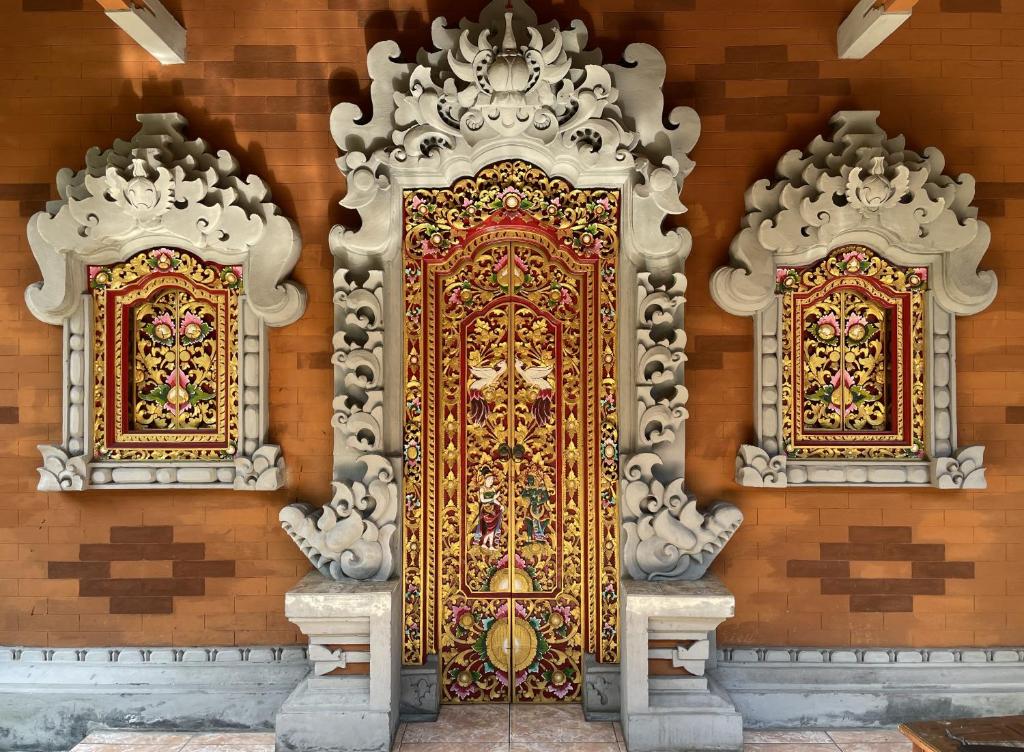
x,y
837,688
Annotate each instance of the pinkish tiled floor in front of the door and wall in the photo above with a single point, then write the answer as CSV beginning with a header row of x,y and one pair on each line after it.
x,y
502,729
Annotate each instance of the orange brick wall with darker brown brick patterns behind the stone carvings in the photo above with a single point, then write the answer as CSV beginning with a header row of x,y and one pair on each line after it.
x,y
262,78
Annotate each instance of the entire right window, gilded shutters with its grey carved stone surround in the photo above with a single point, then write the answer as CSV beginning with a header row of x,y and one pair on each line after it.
x,y
855,266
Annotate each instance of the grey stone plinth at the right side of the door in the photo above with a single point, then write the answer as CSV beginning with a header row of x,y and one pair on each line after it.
x,y
669,699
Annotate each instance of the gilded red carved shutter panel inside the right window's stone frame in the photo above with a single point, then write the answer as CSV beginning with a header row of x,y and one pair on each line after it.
x,y
854,361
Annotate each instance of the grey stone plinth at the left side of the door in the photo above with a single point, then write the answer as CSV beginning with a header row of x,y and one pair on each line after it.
x,y
350,701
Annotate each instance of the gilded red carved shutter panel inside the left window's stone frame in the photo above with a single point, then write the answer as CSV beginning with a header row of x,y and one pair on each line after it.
x,y
165,358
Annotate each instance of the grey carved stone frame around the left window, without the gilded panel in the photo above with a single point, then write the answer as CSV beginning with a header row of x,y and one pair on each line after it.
x,y
161,191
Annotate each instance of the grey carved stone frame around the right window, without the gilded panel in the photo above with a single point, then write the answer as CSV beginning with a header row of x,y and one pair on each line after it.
x,y
861,188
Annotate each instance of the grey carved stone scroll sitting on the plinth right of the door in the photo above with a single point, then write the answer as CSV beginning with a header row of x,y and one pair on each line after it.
x,y
666,537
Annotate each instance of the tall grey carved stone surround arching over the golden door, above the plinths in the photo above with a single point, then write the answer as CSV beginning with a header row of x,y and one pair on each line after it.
x,y
507,88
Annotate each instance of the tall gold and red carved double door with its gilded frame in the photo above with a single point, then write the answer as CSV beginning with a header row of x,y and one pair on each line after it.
x,y
511,467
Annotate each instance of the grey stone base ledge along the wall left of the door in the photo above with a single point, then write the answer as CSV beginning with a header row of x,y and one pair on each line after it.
x,y
51,699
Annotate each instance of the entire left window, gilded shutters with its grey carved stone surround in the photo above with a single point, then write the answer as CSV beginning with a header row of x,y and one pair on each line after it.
x,y
165,267
